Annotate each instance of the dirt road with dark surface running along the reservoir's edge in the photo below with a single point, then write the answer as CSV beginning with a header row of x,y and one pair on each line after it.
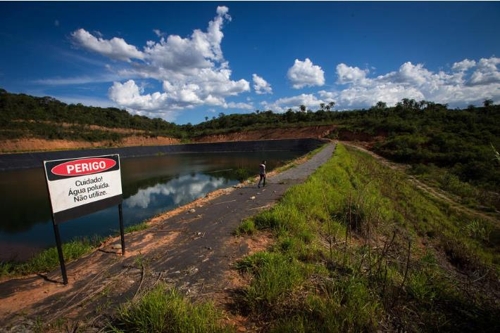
x,y
193,250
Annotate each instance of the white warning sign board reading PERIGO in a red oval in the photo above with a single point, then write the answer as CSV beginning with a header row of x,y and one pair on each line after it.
x,y
82,186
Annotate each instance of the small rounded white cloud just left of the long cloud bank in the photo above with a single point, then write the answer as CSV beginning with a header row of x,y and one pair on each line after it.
x,y
305,73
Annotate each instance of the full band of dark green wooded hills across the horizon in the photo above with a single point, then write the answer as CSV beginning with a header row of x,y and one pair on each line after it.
x,y
421,133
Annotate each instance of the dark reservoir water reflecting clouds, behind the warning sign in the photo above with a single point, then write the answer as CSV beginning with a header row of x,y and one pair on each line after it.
x,y
151,185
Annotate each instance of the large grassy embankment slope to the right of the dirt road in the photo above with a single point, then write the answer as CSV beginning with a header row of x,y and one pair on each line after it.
x,y
359,248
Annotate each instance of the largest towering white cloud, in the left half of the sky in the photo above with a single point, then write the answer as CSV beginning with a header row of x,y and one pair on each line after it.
x,y
192,70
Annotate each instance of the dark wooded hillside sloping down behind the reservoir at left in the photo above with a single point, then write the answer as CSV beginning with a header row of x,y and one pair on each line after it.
x,y
45,117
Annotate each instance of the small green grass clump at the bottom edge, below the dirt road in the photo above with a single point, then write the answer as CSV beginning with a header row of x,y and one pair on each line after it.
x,y
162,310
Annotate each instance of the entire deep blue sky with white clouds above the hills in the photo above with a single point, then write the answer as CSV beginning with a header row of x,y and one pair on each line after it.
x,y
189,61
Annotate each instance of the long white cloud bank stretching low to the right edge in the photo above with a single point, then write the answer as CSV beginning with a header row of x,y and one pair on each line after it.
x,y
467,82
